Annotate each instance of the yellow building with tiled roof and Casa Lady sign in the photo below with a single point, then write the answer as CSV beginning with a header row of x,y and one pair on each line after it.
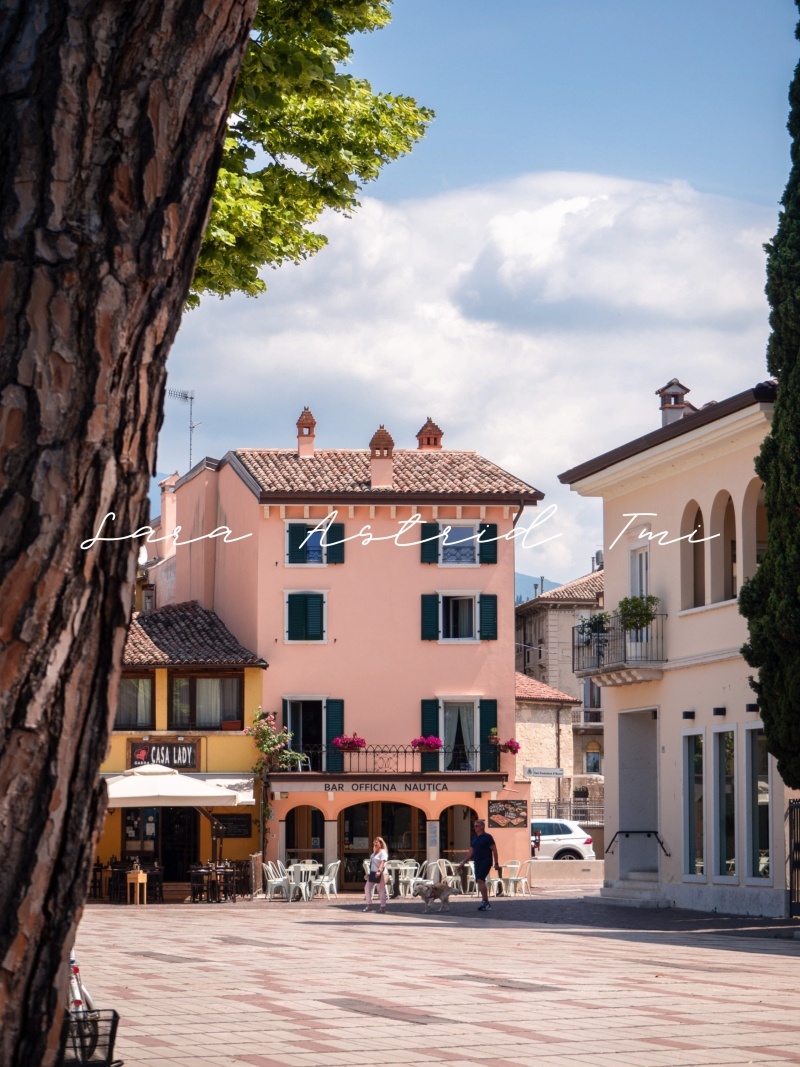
x,y
187,696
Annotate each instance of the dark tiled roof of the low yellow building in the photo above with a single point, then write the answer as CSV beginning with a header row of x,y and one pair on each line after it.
x,y
184,635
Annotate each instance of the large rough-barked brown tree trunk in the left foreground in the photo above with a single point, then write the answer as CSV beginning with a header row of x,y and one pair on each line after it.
x,y
111,119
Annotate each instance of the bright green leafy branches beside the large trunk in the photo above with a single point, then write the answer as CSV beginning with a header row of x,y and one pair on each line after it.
x,y
303,137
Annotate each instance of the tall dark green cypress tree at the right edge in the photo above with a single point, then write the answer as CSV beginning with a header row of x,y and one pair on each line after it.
x,y
771,600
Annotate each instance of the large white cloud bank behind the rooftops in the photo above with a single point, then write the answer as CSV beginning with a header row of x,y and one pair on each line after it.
x,y
533,321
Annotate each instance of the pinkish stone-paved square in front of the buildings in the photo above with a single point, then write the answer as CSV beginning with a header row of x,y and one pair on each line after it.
x,y
555,981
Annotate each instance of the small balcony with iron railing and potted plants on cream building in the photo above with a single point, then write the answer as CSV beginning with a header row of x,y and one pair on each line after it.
x,y
619,657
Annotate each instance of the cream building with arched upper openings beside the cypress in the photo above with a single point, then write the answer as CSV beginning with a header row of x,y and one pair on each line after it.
x,y
695,806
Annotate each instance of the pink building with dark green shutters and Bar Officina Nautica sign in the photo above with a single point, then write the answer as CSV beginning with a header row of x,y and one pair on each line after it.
x,y
378,585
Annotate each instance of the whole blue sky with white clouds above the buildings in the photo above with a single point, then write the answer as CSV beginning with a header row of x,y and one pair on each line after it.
x,y
584,221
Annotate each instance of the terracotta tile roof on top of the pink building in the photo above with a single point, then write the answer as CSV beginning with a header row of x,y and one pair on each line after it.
x,y
333,471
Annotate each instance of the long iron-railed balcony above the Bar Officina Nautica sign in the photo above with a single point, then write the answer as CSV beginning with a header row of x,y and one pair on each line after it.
x,y
399,760
